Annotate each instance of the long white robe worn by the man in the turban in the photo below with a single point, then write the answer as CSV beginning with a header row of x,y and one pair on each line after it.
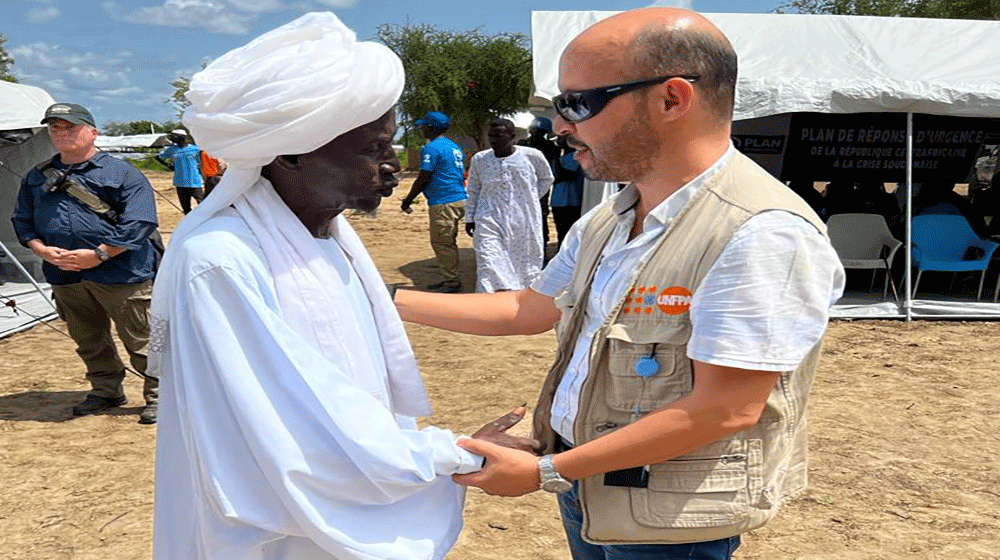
x,y
269,450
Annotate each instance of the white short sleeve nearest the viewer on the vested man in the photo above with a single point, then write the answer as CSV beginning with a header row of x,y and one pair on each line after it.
x,y
765,302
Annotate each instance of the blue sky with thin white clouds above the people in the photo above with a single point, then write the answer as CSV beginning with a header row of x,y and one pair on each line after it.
x,y
118,57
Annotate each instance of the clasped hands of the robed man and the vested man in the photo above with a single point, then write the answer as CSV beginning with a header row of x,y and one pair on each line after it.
x,y
510,466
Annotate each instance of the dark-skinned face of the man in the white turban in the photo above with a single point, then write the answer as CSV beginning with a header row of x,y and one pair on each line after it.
x,y
355,170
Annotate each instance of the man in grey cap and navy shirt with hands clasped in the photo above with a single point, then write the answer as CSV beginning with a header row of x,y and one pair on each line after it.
x,y
100,267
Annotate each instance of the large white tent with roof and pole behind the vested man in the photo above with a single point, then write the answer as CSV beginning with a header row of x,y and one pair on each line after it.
x,y
836,64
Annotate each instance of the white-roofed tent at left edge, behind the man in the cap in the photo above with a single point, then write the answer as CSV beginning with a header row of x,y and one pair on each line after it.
x,y
24,142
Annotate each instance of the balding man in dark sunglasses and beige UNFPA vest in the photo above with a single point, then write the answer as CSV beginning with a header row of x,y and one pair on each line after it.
x,y
690,308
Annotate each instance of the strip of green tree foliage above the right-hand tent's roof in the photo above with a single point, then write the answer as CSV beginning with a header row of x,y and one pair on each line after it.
x,y
945,9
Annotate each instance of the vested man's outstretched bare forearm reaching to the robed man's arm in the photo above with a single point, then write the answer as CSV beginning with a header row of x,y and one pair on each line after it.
x,y
501,313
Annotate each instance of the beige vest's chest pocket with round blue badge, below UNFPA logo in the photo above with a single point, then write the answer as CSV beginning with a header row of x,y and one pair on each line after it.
x,y
627,391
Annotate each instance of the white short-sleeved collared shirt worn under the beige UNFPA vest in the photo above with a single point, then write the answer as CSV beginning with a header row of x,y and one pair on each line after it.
x,y
762,306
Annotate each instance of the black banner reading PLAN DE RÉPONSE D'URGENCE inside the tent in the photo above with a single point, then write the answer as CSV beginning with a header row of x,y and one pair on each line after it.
x,y
872,146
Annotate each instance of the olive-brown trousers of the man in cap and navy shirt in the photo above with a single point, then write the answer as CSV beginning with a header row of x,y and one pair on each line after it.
x,y
89,309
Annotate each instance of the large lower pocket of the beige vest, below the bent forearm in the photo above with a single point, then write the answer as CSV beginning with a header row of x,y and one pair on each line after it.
x,y
698,491
